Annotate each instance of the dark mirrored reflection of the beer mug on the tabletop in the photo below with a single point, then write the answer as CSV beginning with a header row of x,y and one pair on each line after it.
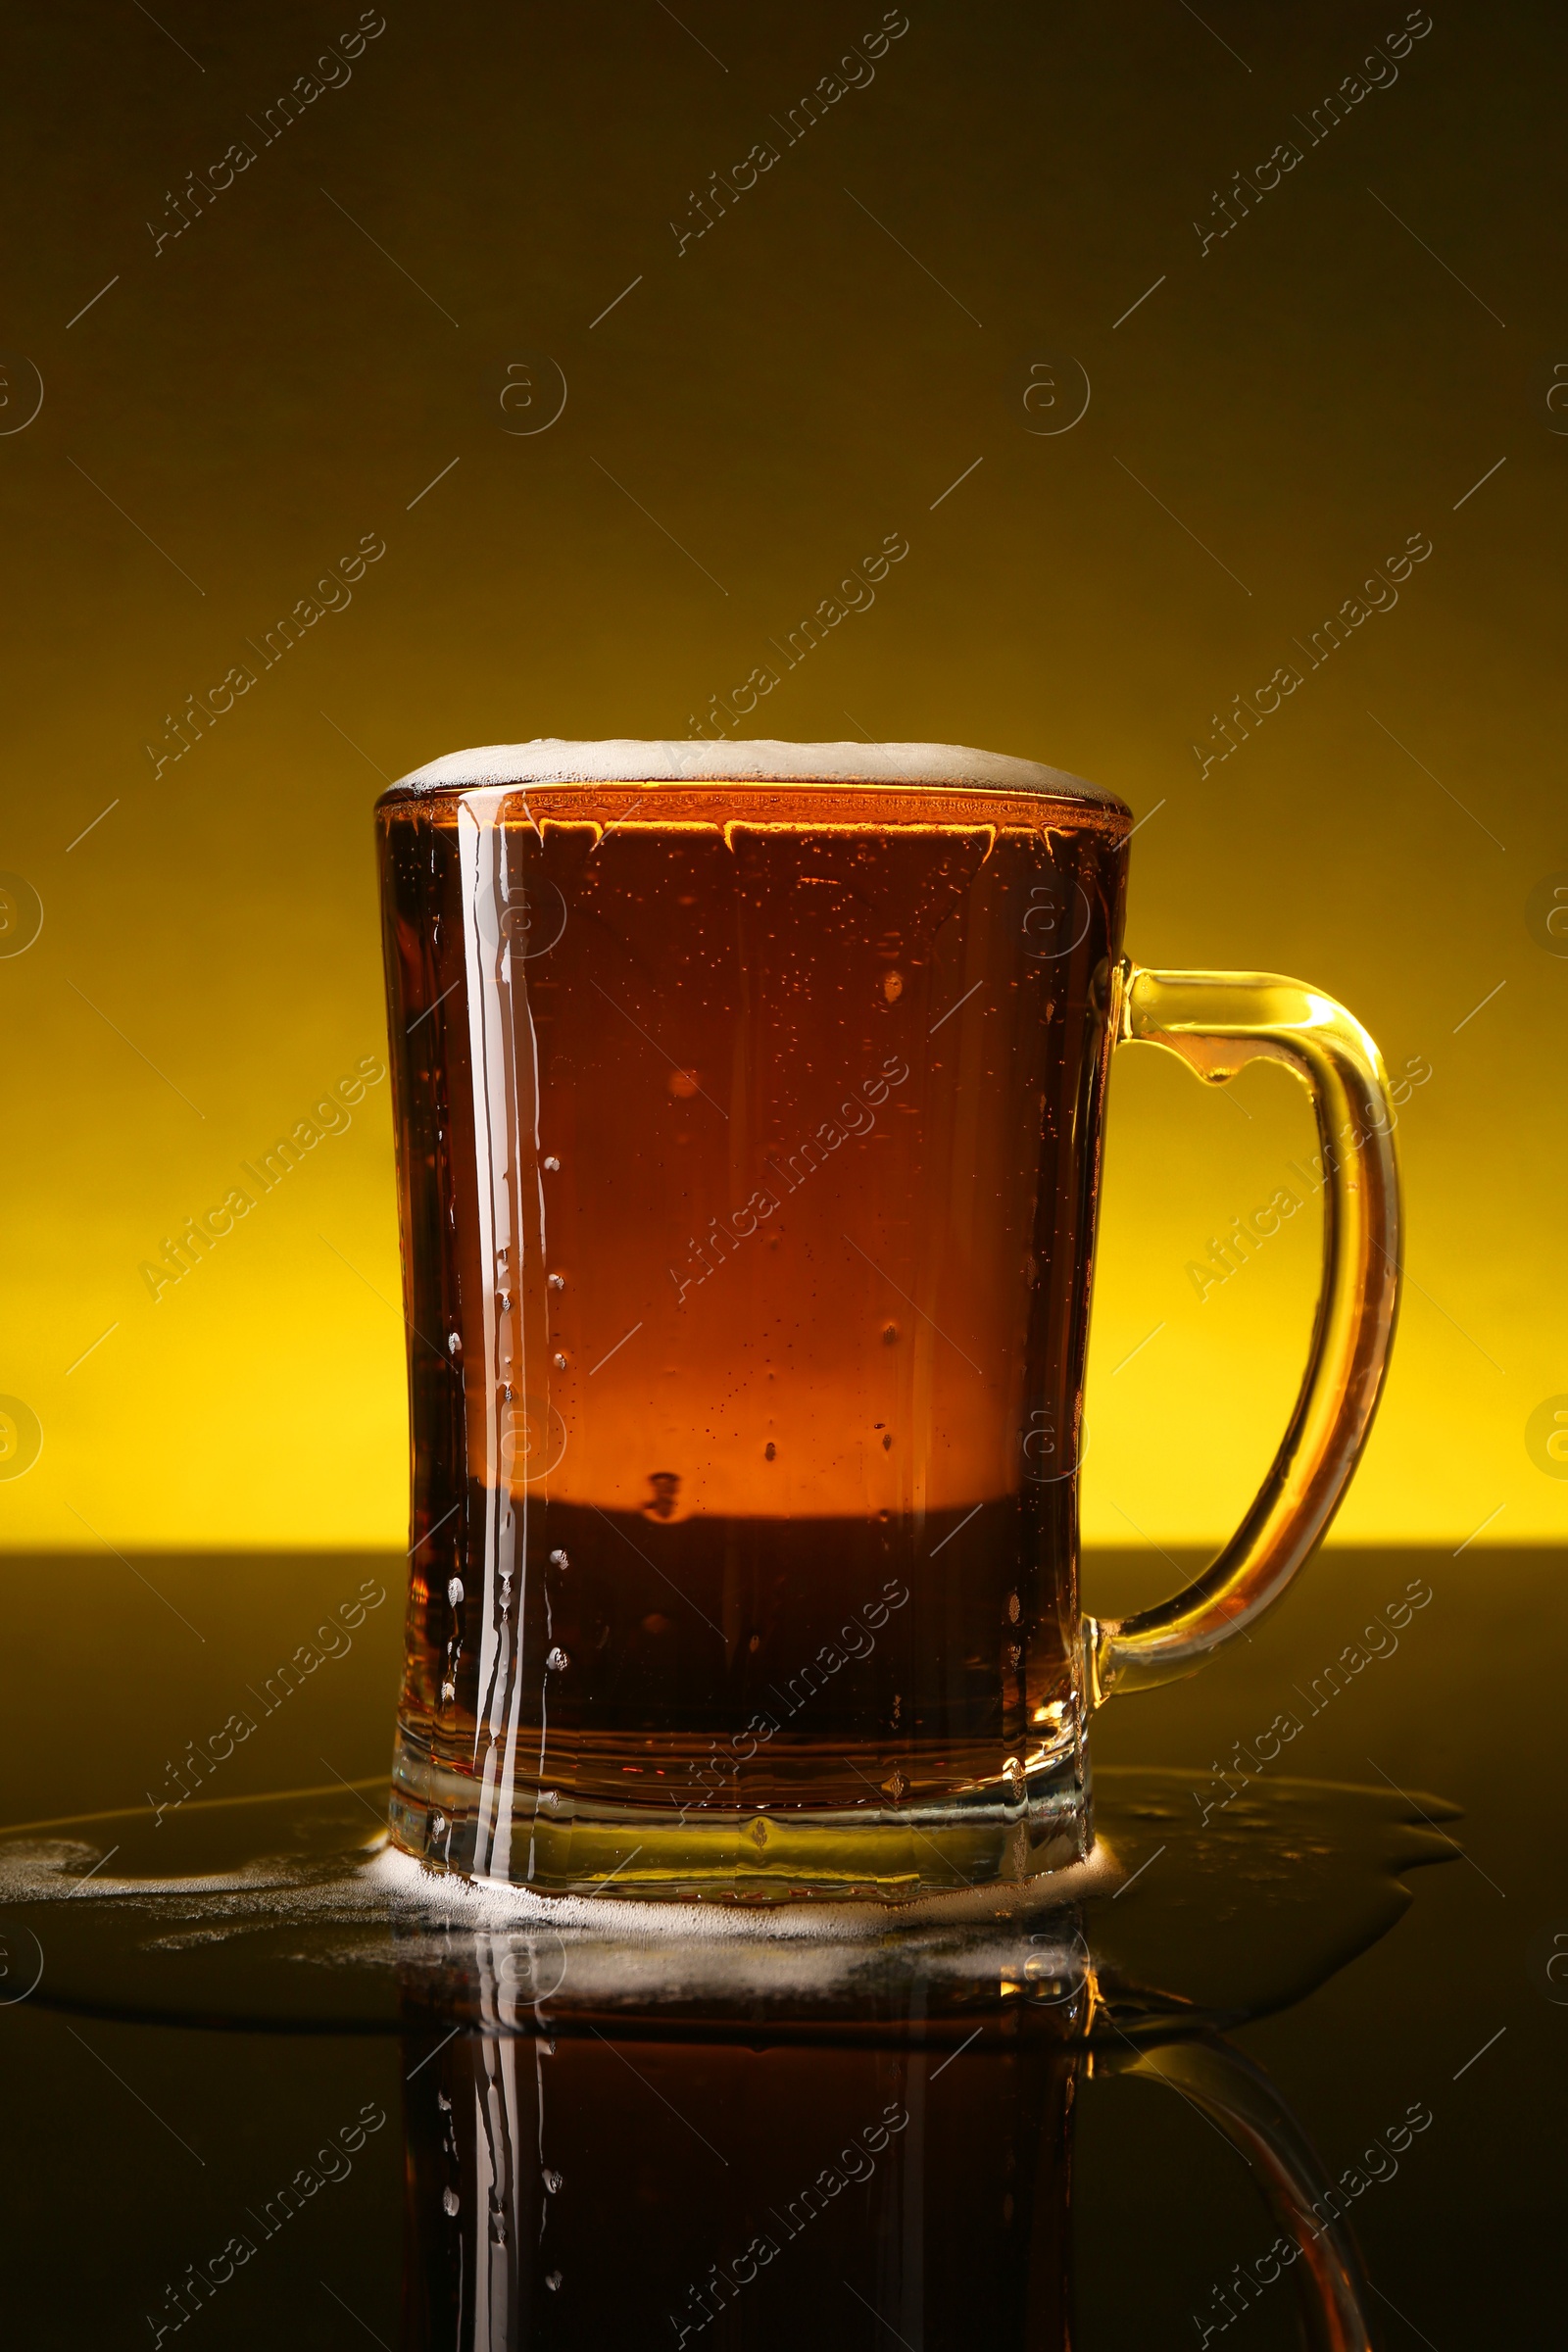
x,y
777,2191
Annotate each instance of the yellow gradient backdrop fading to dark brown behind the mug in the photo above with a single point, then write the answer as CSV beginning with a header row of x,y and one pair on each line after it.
x,y
333,333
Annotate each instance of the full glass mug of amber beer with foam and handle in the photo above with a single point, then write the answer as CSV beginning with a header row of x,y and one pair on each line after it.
x,y
749,1215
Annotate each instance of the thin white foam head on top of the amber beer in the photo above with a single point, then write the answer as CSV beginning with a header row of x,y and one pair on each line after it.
x,y
554,761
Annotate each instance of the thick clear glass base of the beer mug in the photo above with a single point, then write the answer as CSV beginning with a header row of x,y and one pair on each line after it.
x,y
561,1845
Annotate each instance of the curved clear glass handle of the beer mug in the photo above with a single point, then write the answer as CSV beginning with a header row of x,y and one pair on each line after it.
x,y
1217,1022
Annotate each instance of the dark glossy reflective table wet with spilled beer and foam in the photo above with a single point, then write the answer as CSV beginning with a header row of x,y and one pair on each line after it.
x,y
1252,2076
